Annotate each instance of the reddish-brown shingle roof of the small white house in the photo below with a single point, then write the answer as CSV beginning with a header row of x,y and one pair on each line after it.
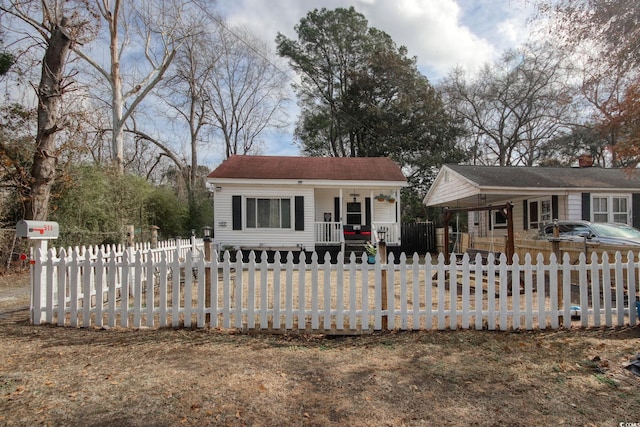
x,y
332,168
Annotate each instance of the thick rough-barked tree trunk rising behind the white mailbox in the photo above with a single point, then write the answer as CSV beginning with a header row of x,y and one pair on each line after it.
x,y
45,157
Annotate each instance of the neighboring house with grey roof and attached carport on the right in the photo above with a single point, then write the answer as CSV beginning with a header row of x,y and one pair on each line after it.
x,y
539,195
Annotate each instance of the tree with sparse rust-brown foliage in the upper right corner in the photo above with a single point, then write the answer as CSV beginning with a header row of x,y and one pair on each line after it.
x,y
601,38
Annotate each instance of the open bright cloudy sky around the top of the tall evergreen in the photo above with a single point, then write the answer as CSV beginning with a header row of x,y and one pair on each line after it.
x,y
442,34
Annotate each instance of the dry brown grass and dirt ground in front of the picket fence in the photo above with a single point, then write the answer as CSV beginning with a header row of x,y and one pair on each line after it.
x,y
62,376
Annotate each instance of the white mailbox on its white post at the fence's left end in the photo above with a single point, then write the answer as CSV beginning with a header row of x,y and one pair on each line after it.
x,y
40,232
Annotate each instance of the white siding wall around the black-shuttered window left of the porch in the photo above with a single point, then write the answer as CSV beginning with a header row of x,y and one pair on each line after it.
x,y
225,235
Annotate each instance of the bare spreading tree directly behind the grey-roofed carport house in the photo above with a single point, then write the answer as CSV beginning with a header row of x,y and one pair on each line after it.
x,y
512,106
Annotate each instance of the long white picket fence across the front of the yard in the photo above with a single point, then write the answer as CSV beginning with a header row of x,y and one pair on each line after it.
x,y
160,288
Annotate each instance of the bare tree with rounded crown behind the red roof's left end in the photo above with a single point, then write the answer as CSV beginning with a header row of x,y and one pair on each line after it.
x,y
222,83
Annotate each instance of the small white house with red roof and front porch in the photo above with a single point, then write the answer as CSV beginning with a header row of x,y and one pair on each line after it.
x,y
276,203
